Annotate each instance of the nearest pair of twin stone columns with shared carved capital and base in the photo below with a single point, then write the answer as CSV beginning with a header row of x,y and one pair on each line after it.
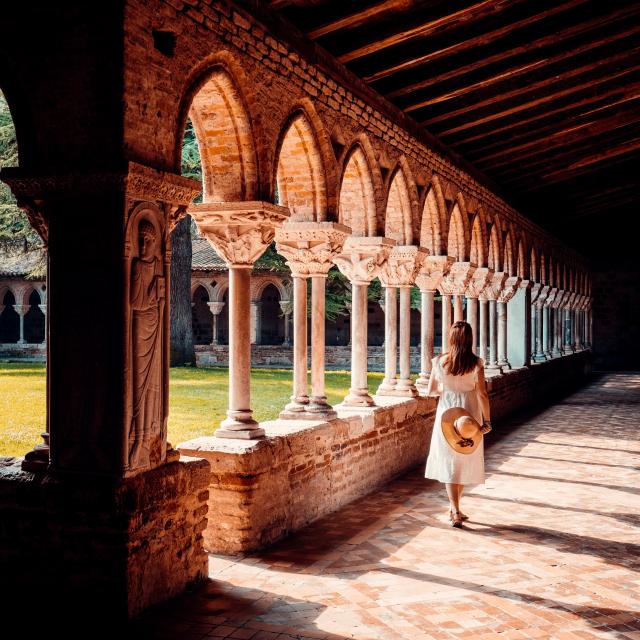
x,y
309,248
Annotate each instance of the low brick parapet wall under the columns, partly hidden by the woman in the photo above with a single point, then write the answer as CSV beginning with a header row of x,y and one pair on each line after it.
x,y
262,490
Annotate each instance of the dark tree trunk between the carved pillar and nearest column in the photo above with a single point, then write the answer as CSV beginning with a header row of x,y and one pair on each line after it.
x,y
181,330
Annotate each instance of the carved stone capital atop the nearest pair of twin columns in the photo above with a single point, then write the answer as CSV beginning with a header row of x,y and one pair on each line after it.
x,y
310,247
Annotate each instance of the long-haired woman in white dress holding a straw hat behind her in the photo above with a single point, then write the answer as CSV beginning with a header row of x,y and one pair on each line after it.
x,y
456,455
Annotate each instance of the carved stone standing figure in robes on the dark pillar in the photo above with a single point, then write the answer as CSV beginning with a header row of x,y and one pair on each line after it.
x,y
147,298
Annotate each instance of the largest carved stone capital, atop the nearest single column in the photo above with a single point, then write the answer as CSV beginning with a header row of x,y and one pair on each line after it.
x,y
238,231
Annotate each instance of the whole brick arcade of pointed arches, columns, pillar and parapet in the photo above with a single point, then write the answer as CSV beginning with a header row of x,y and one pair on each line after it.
x,y
294,151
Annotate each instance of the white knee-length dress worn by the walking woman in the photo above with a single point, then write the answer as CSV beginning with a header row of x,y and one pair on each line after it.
x,y
443,463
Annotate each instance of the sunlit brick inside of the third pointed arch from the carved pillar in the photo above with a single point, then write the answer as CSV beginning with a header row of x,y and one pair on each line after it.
x,y
357,200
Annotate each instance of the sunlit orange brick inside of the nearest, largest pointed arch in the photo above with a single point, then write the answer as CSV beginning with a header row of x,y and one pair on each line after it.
x,y
225,134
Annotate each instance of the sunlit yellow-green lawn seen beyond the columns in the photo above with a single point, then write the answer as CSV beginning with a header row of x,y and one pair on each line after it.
x,y
198,399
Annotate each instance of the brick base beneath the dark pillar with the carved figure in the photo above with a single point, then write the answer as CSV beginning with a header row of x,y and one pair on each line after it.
x,y
126,546
